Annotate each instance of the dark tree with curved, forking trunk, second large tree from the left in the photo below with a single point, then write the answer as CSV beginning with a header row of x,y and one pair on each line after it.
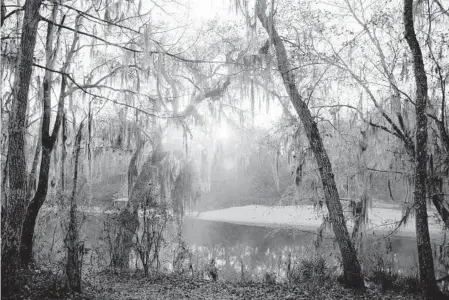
x,y
67,87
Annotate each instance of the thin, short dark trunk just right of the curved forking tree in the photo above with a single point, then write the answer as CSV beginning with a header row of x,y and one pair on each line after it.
x,y
74,248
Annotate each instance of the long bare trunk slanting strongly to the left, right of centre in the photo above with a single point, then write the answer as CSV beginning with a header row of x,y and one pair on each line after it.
x,y
352,275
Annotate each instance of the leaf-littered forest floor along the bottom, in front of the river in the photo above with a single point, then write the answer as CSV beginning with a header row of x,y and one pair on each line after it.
x,y
136,286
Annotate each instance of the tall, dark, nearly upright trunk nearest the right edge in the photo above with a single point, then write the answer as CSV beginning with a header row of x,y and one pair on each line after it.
x,y
425,258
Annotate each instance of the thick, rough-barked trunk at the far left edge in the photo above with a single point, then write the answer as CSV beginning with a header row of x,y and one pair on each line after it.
x,y
15,208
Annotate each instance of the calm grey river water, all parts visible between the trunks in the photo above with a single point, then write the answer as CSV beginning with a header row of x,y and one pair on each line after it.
x,y
247,250
